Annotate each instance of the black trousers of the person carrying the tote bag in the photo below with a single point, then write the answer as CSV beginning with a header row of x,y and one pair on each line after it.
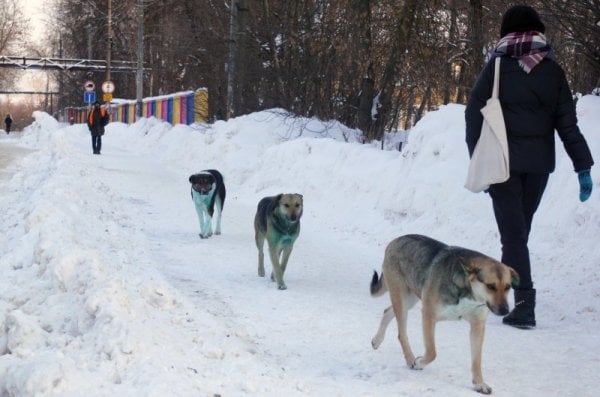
x,y
515,201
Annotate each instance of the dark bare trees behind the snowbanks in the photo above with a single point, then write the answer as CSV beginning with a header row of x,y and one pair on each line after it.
x,y
320,58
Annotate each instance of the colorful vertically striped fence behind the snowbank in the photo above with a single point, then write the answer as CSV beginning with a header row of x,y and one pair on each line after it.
x,y
186,107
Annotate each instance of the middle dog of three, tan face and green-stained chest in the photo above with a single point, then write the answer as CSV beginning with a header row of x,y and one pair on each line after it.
x,y
277,220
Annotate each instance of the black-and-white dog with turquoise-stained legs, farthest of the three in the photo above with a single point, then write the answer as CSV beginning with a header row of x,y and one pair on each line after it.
x,y
208,194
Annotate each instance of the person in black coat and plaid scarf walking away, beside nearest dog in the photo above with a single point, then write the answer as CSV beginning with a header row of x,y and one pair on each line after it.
x,y
536,100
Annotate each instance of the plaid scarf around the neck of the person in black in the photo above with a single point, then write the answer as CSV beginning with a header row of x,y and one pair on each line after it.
x,y
530,48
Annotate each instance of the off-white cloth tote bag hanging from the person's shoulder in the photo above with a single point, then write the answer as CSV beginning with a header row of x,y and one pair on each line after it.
x,y
489,163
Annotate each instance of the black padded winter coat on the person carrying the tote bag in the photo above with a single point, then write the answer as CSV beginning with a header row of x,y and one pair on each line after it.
x,y
534,106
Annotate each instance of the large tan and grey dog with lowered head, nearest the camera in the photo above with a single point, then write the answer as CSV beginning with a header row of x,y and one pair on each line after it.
x,y
452,283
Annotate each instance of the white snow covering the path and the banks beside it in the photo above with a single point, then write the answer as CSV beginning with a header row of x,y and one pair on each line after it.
x,y
106,289
